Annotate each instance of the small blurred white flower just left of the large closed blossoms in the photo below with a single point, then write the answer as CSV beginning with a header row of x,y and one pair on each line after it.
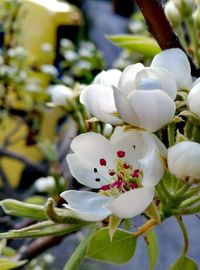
x,y
60,94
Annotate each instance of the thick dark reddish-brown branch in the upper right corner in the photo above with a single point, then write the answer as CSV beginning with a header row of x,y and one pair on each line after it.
x,y
160,28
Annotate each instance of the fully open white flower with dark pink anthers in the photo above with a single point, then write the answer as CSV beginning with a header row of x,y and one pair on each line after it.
x,y
125,168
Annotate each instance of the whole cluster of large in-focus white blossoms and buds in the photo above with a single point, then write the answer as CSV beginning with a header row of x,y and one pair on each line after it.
x,y
125,169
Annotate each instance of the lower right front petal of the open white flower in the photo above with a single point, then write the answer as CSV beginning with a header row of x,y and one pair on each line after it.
x,y
132,203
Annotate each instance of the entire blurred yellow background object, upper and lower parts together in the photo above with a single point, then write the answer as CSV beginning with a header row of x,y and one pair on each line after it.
x,y
42,22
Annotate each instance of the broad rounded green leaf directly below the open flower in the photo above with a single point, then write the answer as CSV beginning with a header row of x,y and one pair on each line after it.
x,y
120,250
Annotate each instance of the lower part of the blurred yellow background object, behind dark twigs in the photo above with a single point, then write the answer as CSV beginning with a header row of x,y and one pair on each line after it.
x,y
17,130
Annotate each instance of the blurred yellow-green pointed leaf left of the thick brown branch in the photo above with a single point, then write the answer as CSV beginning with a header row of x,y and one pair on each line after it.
x,y
147,46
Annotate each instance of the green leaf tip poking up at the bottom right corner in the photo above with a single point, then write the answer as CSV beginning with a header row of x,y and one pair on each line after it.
x,y
184,263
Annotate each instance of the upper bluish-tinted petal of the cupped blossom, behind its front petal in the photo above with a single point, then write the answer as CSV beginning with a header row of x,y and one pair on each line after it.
x,y
156,78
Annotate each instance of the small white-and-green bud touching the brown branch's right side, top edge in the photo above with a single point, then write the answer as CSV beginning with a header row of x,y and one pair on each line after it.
x,y
172,13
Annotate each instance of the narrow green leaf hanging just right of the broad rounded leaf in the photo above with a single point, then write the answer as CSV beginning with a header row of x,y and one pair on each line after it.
x,y
152,246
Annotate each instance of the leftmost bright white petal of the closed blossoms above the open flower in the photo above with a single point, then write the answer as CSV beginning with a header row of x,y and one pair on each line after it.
x,y
99,100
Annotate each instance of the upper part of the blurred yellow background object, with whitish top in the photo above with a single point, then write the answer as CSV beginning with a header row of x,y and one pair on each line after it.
x,y
47,21
